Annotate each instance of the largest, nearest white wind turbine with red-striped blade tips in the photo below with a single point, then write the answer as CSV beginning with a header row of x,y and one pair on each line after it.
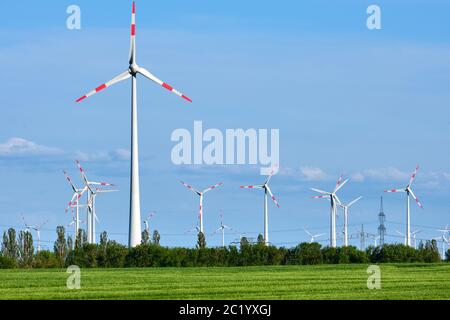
x,y
134,238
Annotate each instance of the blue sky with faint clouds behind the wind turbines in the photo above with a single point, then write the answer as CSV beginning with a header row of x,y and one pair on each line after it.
x,y
369,104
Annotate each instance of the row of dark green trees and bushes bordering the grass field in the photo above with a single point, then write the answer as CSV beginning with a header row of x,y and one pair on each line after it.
x,y
19,252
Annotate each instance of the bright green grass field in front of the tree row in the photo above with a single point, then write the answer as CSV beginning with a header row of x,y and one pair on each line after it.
x,y
401,281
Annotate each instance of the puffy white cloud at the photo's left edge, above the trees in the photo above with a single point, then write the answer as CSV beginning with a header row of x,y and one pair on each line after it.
x,y
23,147
